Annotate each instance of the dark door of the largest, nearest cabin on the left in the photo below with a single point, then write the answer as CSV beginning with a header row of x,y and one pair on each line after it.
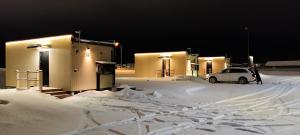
x,y
44,65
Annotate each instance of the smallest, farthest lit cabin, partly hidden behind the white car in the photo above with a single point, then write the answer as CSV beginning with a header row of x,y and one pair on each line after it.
x,y
211,65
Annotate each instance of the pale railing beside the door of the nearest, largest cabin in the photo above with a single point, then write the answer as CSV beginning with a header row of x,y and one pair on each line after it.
x,y
29,77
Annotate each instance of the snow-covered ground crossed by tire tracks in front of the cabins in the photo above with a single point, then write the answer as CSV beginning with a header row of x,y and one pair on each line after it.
x,y
159,106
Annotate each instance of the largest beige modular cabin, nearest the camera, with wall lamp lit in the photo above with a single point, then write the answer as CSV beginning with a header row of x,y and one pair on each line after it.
x,y
65,62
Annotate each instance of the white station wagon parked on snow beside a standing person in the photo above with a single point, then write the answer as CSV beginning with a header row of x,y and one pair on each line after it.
x,y
233,74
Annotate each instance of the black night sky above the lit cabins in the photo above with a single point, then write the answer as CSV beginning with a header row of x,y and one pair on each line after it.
x,y
209,27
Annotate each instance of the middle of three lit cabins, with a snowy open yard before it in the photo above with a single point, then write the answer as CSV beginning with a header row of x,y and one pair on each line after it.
x,y
162,64
